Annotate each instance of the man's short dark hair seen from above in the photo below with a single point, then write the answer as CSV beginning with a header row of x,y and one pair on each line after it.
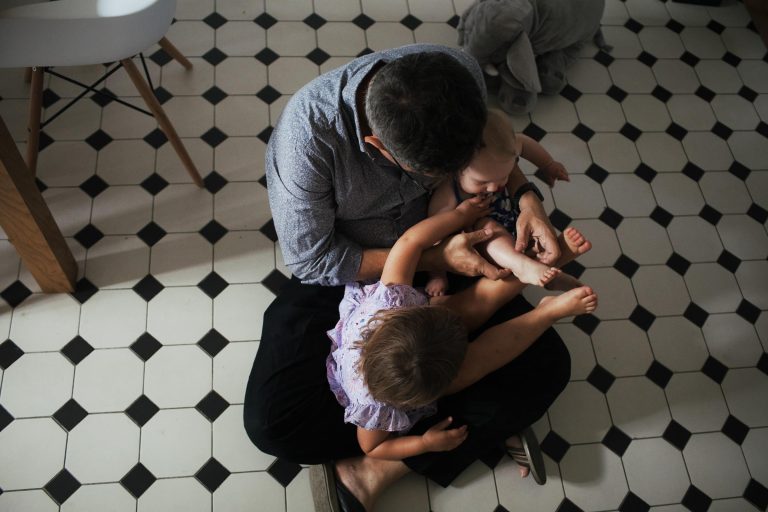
x,y
428,111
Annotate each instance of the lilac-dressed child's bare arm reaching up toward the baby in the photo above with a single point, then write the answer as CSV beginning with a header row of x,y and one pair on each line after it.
x,y
405,254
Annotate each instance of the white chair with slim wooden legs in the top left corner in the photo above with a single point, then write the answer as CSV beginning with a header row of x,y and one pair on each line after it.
x,y
39,34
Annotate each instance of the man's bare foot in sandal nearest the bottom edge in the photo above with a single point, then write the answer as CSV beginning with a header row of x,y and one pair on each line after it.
x,y
366,477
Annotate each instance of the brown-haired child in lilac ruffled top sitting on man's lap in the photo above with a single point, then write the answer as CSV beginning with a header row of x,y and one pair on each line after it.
x,y
393,354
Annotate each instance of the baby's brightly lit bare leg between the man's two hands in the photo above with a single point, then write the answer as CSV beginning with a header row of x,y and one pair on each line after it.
x,y
501,249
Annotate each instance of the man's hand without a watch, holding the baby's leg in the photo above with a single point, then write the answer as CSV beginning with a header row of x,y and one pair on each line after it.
x,y
459,255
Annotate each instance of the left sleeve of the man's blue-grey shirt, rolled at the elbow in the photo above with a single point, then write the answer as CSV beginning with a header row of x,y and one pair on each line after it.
x,y
302,199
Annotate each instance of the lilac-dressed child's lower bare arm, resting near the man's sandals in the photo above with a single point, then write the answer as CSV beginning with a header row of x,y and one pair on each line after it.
x,y
439,438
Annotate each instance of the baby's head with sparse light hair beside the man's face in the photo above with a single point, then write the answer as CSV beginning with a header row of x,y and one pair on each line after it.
x,y
489,170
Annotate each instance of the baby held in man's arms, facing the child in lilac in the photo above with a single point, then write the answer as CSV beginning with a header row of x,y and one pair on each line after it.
x,y
487,175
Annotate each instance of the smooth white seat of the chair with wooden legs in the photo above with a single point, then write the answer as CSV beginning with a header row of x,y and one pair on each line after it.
x,y
80,32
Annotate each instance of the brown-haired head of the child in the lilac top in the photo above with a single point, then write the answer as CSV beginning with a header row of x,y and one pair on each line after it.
x,y
411,355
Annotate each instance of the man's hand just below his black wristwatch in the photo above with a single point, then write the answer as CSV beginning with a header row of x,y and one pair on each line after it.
x,y
533,225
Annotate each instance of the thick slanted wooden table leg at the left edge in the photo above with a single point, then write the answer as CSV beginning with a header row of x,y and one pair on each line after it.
x,y
29,224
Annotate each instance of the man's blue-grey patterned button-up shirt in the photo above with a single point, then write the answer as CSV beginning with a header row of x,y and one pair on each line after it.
x,y
331,194
